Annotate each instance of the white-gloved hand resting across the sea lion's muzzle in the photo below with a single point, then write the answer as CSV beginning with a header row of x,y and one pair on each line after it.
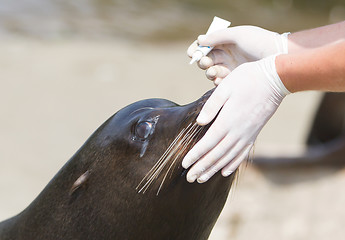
x,y
245,100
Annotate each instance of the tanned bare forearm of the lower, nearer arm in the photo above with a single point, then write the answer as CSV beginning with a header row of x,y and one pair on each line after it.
x,y
321,68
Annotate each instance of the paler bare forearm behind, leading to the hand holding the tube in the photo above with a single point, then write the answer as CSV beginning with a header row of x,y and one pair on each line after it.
x,y
317,37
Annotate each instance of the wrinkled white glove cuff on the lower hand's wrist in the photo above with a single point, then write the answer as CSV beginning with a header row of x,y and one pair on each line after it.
x,y
269,68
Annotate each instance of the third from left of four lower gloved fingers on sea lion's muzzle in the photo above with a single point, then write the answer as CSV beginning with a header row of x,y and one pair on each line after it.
x,y
232,153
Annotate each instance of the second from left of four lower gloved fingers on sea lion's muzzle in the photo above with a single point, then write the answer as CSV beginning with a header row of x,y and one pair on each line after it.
x,y
210,159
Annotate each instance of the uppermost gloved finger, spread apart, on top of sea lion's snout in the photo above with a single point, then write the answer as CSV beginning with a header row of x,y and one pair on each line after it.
x,y
213,105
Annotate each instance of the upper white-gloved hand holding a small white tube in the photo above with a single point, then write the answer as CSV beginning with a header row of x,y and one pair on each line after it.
x,y
236,45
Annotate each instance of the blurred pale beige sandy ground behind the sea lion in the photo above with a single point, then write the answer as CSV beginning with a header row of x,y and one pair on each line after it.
x,y
53,95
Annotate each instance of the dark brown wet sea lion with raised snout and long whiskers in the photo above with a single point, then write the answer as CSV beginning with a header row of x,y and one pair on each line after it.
x,y
126,182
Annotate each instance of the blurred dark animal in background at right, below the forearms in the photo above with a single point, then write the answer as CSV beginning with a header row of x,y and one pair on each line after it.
x,y
326,140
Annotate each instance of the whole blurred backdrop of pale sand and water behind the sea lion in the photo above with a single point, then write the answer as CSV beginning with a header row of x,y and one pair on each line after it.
x,y
66,66
